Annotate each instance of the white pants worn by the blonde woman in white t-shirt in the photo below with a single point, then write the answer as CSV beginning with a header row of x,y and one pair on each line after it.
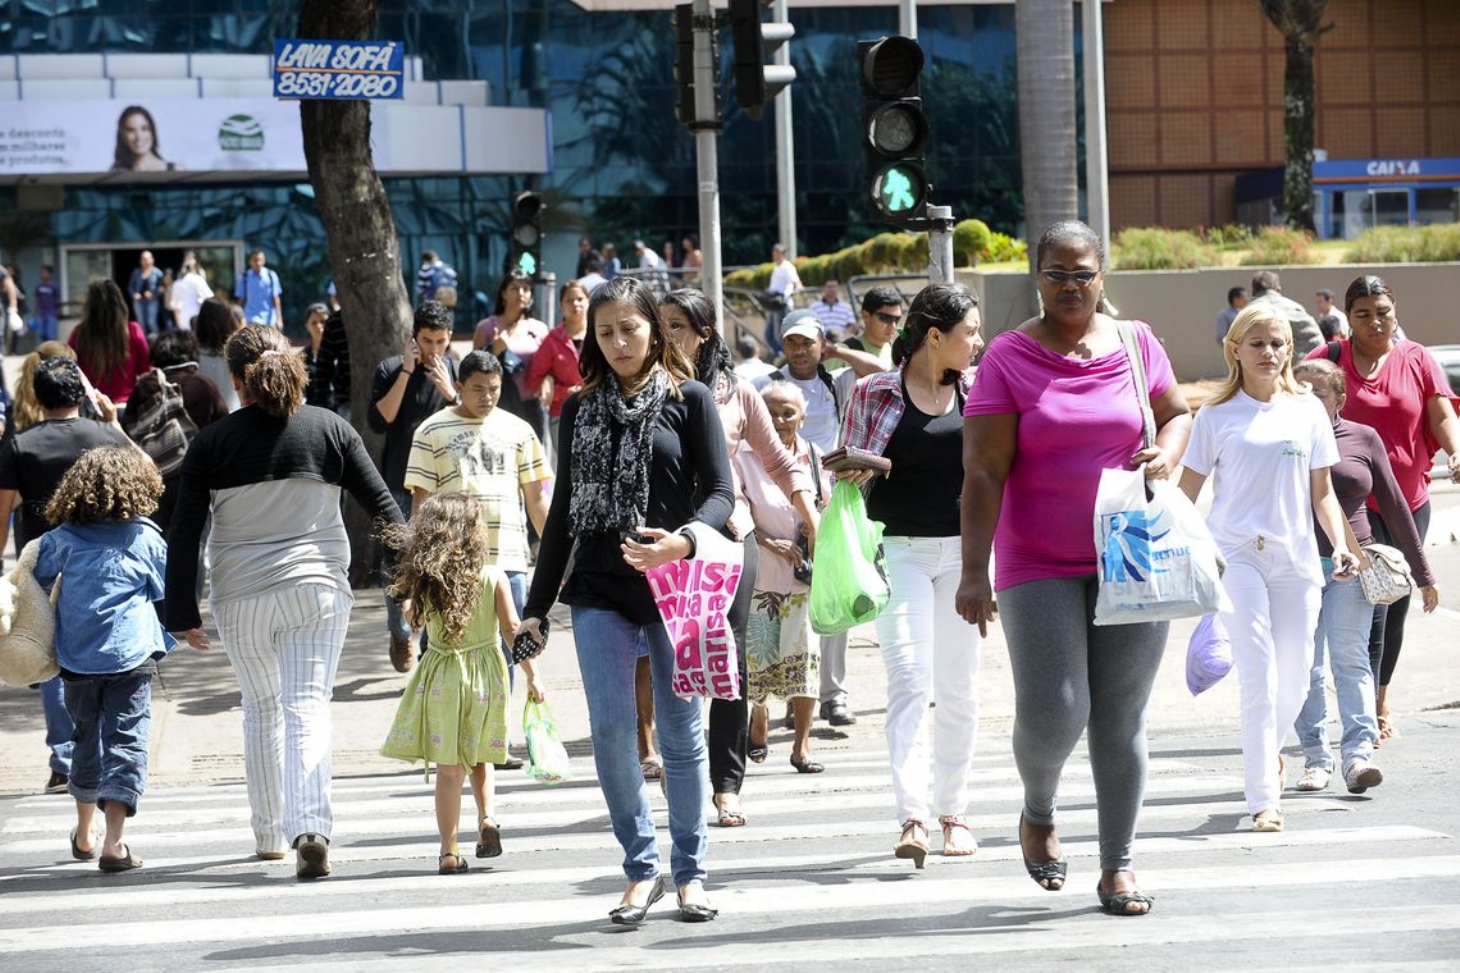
x,y
1277,604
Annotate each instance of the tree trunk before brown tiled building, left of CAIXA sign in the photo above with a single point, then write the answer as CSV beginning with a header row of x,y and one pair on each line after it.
x,y
1302,26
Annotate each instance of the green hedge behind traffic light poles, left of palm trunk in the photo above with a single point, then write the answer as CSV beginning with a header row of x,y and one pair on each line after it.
x,y
890,253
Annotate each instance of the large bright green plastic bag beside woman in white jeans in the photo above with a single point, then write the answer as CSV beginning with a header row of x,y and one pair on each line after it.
x,y
850,581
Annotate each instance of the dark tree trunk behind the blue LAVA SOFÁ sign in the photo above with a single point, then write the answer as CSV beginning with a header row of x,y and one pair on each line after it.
x,y
361,233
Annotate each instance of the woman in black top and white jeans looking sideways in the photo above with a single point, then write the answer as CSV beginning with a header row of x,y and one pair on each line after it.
x,y
913,417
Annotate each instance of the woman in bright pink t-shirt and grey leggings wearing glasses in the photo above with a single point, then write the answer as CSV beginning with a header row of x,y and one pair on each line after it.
x,y
1055,405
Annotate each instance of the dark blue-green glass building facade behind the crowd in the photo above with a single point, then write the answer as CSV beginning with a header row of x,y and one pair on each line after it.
x,y
623,167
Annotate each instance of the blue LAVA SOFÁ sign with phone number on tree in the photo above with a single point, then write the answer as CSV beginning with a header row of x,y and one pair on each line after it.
x,y
347,71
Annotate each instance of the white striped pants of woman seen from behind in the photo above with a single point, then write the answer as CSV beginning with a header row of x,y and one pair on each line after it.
x,y
285,649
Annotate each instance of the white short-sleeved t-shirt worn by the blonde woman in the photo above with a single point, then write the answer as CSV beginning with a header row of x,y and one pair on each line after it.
x,y
1261,457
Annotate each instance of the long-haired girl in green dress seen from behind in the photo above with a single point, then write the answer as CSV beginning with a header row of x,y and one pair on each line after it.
x,y
455,708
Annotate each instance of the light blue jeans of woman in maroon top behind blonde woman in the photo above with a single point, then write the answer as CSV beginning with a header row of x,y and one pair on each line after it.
x,y
1344,627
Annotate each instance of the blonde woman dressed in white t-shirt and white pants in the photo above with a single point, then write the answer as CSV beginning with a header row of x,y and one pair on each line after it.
x,y
1269,448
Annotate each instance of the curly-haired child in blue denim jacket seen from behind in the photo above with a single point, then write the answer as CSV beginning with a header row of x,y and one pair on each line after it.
x,y
112,563
